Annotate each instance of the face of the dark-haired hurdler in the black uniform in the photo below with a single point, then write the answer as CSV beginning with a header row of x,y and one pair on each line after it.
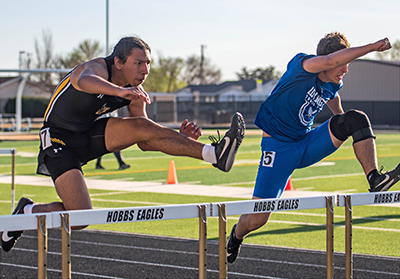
x,y
137,67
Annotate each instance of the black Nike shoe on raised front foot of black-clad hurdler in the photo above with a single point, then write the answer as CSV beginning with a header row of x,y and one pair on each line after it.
x,y
226,148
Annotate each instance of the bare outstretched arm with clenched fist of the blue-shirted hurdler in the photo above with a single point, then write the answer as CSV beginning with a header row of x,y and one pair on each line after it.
x,y
342,57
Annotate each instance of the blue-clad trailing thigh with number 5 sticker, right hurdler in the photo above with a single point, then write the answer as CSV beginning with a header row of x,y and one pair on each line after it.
x,y
278,161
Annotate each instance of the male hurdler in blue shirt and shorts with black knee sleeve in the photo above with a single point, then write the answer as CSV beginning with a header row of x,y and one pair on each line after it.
x,y
286,117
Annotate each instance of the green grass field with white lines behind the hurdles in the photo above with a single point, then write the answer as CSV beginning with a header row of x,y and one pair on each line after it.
x,y
375,228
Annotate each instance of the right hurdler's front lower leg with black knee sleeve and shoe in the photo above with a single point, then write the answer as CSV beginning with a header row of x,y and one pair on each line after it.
x,y
356,124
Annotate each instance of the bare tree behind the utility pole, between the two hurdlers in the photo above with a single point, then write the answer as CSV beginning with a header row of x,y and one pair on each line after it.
x,y
210,73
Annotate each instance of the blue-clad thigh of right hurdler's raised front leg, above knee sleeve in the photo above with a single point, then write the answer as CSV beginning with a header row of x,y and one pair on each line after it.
x,y
317,145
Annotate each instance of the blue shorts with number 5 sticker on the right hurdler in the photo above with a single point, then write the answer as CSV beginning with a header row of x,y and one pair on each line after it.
x,y
279,159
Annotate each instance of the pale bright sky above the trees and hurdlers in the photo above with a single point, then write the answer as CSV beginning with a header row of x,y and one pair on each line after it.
x,y
235,33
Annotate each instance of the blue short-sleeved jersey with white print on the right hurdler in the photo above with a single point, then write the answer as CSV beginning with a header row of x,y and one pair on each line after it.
x,y
288,113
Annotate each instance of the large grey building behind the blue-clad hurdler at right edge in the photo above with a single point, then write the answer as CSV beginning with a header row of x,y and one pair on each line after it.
x,y
374,87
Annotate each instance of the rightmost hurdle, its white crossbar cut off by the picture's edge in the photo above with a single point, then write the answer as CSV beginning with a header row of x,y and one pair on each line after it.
x,y
350,200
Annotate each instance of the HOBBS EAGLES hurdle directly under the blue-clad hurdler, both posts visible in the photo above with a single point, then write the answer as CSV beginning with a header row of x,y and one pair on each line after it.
x,y
274,205
